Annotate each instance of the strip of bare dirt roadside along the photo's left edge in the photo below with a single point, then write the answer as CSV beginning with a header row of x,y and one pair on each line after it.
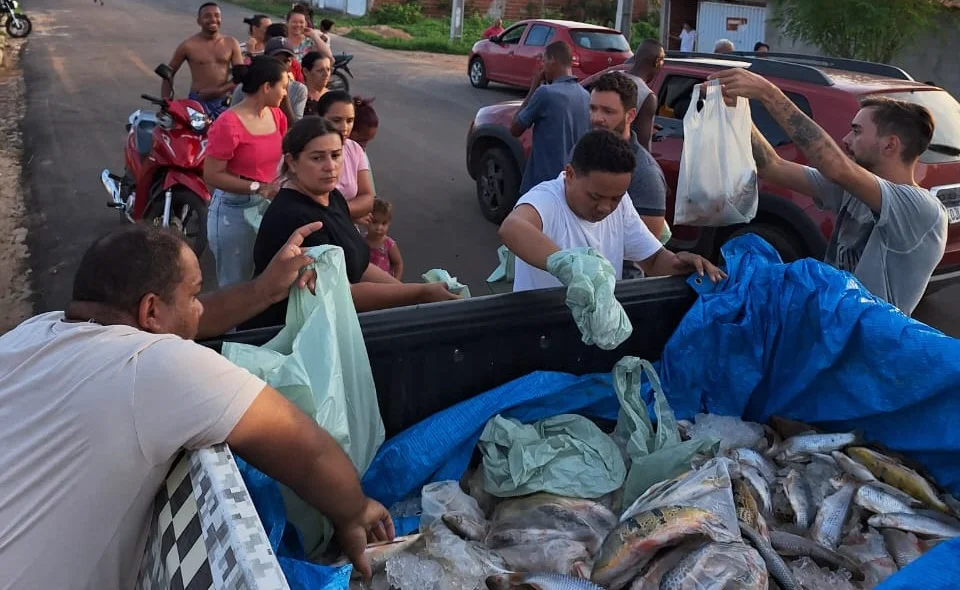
x,y
15,293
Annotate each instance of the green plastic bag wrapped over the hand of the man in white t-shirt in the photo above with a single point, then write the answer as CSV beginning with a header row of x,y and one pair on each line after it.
x,y
590,281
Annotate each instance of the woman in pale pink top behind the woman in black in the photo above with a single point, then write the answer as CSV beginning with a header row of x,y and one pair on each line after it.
x,y
356,182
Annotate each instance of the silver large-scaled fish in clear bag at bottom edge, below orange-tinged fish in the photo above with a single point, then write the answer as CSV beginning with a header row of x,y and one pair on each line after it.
x,y
721,565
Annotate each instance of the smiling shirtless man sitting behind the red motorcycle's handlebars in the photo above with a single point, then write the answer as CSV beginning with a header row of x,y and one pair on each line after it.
x,y
210,56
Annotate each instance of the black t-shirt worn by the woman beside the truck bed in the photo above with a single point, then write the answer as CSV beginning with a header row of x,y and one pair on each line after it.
x,y
290,210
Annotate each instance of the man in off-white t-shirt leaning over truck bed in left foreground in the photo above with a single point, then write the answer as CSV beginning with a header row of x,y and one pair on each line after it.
x,y
96,403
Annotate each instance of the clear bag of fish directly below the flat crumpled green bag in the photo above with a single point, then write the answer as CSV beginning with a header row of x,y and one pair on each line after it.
x,y
539,518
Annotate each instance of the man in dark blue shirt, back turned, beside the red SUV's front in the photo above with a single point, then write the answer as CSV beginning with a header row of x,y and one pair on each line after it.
x,y
558,108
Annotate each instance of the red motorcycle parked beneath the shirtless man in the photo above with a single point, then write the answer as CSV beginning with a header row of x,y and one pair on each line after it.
x,y
162,182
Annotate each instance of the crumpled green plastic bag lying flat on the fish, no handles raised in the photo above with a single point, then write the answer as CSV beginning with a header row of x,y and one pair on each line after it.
x,y
566,455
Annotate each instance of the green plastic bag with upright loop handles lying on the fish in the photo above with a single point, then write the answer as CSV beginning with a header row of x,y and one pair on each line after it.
x,y
656,454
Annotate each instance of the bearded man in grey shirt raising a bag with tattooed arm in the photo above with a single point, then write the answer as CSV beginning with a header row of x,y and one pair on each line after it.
x,y
890,233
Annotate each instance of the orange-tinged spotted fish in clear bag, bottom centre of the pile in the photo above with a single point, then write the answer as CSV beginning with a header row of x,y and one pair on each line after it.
x,y
630,546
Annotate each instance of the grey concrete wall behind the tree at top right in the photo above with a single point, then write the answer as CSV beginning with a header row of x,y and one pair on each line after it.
x,y
933,57
